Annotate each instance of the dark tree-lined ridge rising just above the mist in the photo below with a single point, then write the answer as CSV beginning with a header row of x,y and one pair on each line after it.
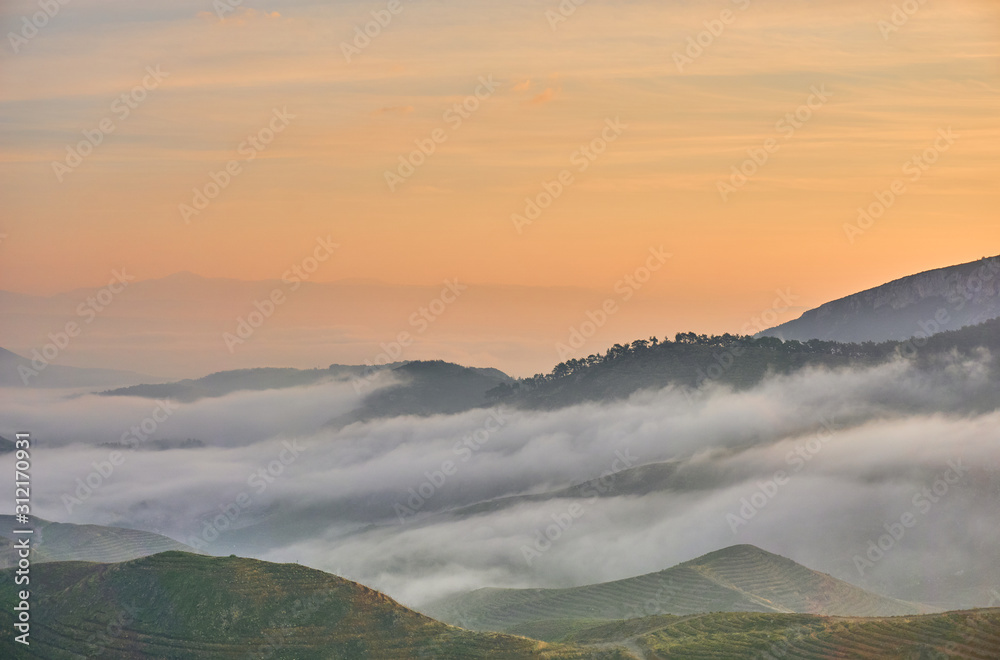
x,y
690,361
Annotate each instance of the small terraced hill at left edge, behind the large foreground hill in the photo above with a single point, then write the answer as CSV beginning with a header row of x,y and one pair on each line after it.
x,y
68,542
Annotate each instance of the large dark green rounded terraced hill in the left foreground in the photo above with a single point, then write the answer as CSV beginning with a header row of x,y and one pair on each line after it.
x,y
179,605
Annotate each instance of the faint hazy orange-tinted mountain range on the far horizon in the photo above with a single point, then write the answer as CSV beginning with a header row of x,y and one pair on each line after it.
x,y
174,326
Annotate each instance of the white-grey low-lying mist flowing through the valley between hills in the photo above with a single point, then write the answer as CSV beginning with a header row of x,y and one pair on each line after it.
x,y
820,466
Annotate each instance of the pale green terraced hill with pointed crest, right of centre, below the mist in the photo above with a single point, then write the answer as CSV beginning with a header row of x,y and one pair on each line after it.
x,y
741,578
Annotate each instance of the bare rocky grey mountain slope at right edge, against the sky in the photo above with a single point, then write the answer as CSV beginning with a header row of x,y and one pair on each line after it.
x,y
923,304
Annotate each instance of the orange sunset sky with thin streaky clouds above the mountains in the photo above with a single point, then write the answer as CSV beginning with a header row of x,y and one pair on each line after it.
x,y
623,119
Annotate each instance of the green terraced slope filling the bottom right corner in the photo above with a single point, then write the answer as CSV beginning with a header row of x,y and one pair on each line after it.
x,y
974,635
